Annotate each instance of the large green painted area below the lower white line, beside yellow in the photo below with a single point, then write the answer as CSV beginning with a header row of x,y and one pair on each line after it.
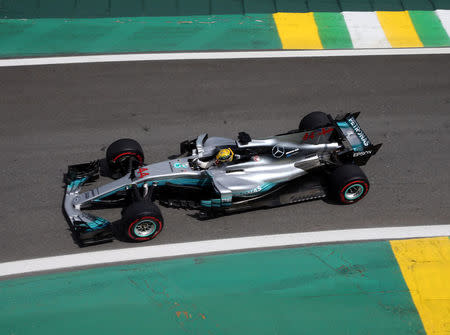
x,y
336,289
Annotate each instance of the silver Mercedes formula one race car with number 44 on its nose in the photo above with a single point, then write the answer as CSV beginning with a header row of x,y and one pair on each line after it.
x,y
216,176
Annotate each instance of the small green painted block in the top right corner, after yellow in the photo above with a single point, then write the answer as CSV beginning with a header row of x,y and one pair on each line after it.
x,y
429,28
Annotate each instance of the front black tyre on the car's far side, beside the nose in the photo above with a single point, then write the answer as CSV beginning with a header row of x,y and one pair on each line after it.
x,y
120,152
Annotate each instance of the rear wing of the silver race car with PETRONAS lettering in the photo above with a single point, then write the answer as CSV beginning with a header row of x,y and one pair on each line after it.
x,y
354,139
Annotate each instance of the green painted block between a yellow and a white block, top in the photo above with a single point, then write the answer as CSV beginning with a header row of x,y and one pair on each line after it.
x,y
333,31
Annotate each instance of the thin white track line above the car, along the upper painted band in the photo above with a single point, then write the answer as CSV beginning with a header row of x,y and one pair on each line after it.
x,y
219,55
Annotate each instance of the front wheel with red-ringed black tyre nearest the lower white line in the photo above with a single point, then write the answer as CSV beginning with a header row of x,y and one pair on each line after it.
x,y
141,221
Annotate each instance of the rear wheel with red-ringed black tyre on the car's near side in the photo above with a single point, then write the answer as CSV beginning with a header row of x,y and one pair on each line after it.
x,y
348,184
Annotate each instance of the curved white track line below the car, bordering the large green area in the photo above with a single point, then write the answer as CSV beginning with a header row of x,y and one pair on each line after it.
x,y
224,245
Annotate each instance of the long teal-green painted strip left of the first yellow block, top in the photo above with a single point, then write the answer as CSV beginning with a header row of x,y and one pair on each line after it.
x,y
75,36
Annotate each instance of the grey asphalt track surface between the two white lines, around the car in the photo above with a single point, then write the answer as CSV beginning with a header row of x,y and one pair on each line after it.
x,y
57,115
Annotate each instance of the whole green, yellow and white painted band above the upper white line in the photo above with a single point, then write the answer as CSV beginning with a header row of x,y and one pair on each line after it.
x,y
309,30
